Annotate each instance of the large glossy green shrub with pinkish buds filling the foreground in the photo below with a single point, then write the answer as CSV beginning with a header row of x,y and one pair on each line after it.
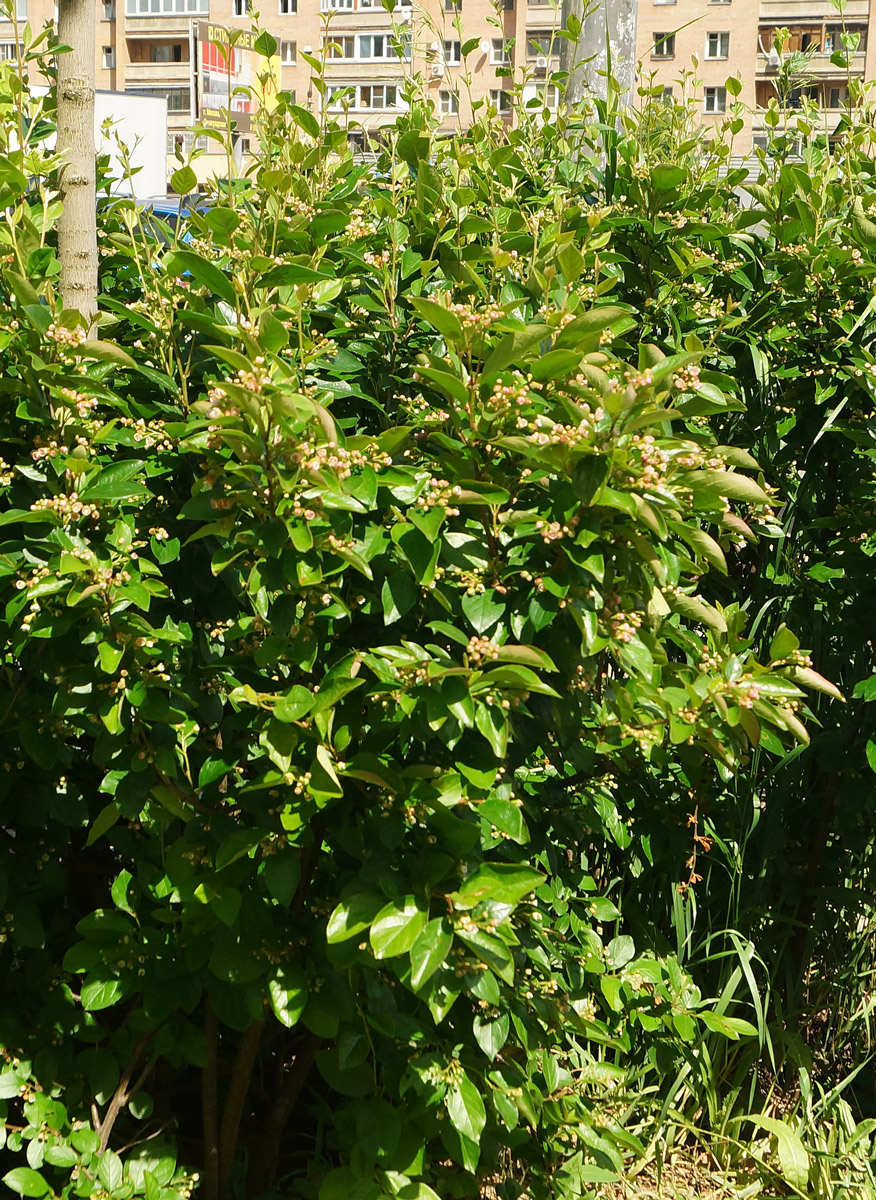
x,y
356,580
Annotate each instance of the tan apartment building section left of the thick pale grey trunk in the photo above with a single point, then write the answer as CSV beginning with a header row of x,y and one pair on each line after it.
x,y
466,52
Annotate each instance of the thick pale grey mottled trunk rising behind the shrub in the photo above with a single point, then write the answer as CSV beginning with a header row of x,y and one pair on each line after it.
x,y
608,28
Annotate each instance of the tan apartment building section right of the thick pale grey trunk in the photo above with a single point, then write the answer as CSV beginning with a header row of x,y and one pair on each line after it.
x,y
692,47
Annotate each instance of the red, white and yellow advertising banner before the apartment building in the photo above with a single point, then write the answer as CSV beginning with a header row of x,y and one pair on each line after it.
x,y
227,62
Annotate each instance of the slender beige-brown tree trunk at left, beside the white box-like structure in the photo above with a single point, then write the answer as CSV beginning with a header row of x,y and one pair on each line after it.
x,y
77,227
